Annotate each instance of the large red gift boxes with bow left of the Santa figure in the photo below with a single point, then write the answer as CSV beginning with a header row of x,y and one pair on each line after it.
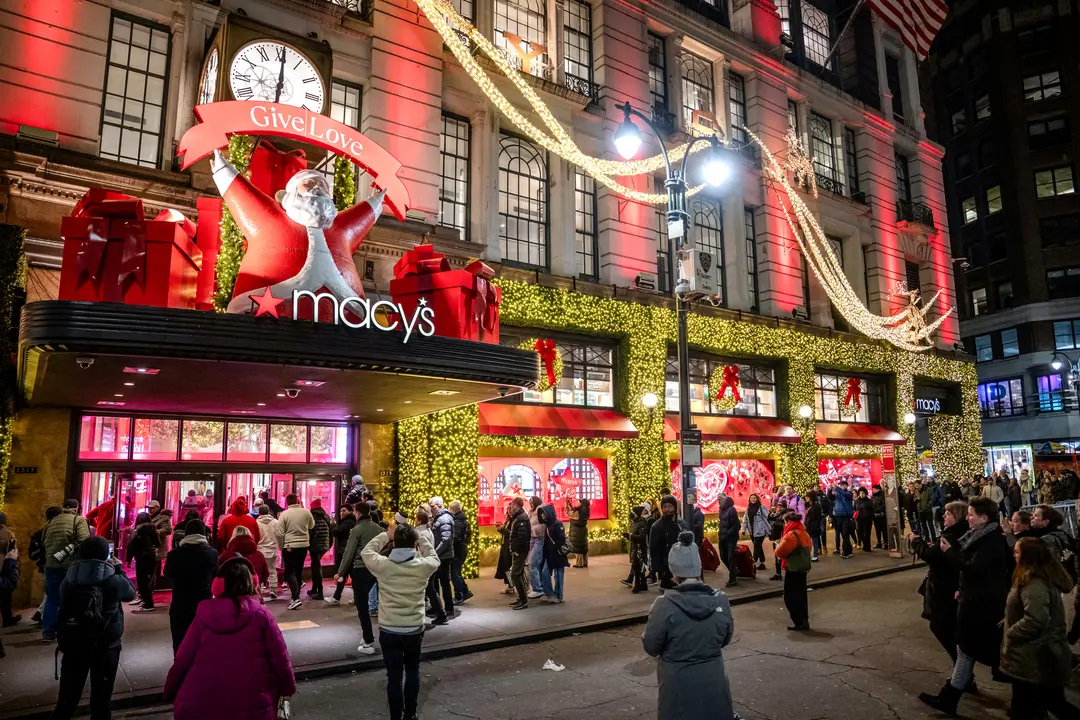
x,y
114,254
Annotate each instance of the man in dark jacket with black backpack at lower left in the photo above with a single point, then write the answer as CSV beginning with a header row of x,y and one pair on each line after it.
x,y
90,629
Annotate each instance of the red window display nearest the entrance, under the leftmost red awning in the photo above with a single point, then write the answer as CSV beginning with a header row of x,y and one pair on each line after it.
x,y
555,480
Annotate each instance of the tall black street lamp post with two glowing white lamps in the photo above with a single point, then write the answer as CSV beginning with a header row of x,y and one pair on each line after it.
x,y
628,141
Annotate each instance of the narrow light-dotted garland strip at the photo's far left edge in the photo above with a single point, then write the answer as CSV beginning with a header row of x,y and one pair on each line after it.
x,y
13,270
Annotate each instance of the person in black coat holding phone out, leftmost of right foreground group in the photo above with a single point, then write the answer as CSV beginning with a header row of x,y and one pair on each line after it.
x,y
943,577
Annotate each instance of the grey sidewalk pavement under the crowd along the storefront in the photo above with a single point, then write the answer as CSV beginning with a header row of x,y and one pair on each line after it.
x,y
322,640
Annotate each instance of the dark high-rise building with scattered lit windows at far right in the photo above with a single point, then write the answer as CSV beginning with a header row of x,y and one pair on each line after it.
x,y
1001,74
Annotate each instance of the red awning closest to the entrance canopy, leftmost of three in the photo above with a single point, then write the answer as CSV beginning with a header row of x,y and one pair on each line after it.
x,y
506,419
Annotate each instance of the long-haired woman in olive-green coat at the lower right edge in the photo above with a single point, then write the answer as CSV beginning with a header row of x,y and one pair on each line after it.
x,y
1035,654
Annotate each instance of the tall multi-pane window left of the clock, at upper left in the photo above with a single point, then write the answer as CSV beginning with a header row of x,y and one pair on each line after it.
x,y
134,20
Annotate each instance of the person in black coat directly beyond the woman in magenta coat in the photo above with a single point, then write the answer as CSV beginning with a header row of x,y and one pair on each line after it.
x,y
192,565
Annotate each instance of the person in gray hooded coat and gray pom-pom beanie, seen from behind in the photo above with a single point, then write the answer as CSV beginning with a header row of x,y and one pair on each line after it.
x,y
688,629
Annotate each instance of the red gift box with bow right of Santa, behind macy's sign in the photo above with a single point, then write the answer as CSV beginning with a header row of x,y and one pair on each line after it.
x,y
466,303
